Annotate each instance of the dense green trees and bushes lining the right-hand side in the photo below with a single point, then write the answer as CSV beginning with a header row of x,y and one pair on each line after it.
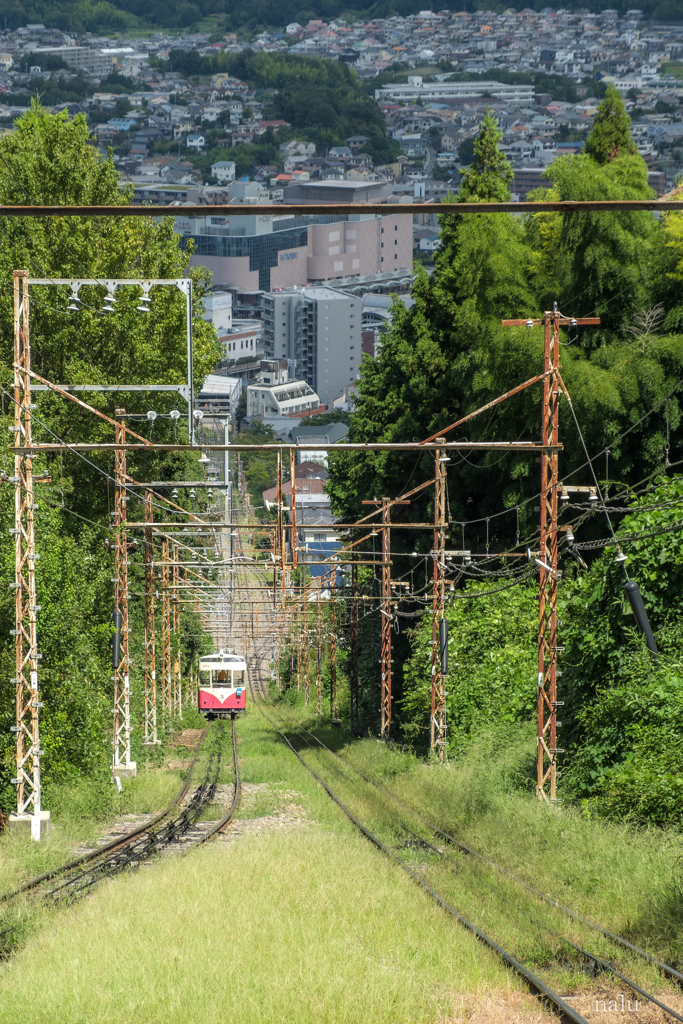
x,y
448,356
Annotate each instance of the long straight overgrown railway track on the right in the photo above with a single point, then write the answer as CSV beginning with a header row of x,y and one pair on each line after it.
x,y
403,842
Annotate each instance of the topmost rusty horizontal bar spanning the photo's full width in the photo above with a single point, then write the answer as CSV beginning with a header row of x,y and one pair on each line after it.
x,y
344,209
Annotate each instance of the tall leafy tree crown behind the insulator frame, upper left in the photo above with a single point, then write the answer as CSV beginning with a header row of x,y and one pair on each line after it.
x,y
50,160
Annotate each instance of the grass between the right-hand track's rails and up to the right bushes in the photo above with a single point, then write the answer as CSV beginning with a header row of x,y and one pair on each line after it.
x,y
629,881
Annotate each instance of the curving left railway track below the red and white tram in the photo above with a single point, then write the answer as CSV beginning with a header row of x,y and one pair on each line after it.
x,y
179,826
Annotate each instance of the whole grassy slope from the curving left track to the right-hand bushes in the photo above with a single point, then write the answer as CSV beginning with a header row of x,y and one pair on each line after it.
x,y
315,926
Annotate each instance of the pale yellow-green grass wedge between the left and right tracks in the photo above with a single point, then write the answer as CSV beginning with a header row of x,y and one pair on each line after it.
x,y
308,927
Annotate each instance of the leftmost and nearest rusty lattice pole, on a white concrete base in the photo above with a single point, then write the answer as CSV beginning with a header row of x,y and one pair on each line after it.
x,y
26,603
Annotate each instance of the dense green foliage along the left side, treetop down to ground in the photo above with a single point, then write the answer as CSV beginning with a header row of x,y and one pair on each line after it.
x,y
37,164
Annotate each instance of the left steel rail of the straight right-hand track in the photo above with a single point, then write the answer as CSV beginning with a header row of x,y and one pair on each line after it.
x,y
529,976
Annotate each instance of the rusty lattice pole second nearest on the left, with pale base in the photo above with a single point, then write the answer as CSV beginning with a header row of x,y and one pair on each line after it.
x,y
121,743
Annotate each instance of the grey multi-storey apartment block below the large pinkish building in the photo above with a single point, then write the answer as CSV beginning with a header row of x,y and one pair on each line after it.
x,y
320,328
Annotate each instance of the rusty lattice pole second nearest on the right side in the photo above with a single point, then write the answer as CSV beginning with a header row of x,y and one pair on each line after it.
x,y
438,723
